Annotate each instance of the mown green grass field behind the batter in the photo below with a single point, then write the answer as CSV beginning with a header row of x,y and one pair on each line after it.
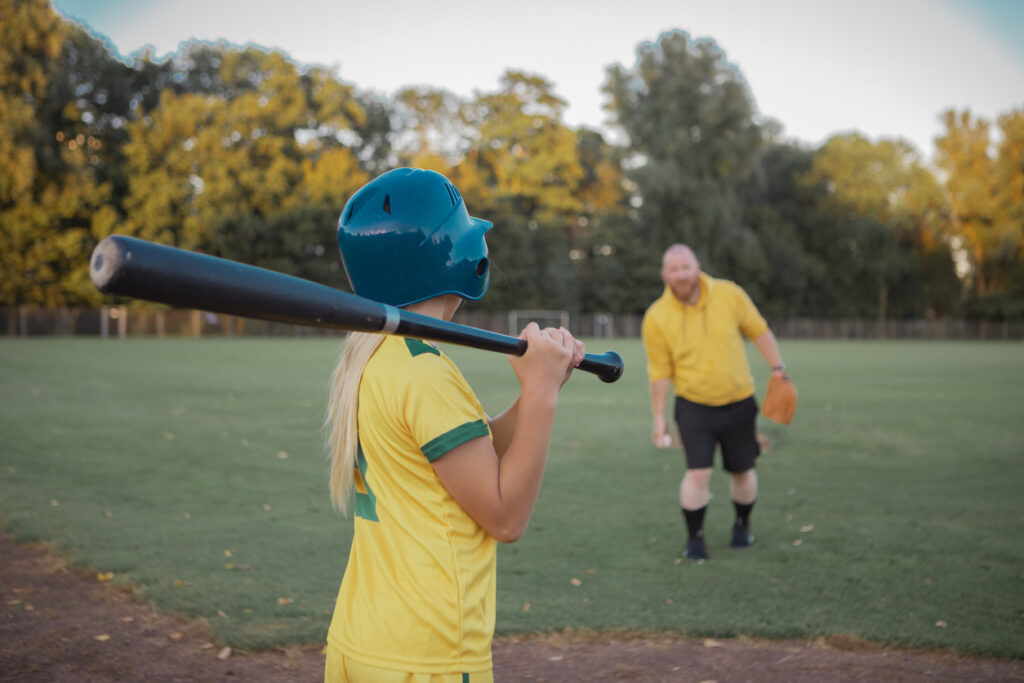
x,y
891,509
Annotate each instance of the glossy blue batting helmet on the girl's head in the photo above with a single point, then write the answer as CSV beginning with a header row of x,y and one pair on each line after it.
x,y
407,237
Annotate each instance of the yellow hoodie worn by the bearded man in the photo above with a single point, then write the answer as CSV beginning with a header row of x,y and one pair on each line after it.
x,y
701,348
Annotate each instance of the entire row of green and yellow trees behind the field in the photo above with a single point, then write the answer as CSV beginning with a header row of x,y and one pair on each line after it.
x,y
242,153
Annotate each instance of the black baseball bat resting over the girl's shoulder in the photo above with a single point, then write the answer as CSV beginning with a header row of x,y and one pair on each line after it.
x,y
133,268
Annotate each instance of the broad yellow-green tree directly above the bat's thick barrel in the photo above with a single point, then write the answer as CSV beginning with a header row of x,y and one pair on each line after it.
x,y
244,153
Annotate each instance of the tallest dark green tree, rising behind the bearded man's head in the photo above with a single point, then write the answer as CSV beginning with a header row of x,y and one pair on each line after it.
x,y
689,116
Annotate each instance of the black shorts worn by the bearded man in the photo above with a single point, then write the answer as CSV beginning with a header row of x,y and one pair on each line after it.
x,y
733,426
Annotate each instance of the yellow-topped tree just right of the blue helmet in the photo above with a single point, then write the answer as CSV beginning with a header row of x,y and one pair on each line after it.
x,y
523,172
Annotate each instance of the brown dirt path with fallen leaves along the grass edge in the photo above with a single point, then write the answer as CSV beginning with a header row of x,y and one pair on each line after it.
x,y
58,625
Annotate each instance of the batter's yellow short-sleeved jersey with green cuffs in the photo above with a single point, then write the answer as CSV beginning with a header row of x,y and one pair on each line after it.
x,y
418,594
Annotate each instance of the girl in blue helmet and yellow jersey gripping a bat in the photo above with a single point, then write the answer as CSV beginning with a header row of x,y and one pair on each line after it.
x,y
438,483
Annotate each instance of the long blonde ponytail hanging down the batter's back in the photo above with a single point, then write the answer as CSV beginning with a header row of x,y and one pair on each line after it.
x,y
344,438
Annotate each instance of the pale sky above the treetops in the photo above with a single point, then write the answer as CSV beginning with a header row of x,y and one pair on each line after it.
x,y
884,68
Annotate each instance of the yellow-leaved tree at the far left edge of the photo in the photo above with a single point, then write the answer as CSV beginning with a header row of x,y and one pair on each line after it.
x,y
54,196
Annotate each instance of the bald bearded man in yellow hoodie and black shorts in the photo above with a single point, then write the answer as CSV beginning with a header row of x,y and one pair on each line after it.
x,y
694,336
